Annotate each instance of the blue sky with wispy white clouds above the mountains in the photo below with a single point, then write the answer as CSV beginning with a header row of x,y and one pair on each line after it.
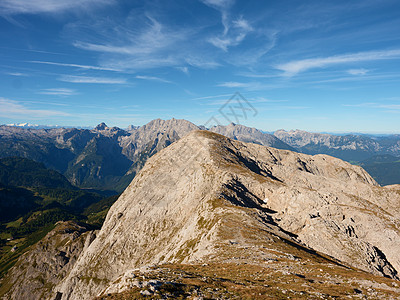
x,y
312,65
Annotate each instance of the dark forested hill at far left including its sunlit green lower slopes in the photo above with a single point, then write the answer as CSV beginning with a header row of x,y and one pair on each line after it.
x,y
33,199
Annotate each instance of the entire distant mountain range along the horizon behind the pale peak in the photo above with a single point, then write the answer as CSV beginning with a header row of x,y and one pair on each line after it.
x,y
109,157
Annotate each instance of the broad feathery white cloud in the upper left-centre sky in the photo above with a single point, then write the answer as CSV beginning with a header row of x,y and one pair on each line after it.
x,y
149,45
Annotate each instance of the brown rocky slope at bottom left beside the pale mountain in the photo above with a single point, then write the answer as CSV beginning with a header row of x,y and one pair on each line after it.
x,y
47,263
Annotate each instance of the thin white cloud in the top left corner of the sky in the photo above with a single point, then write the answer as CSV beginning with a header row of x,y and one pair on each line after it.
x,y
12,7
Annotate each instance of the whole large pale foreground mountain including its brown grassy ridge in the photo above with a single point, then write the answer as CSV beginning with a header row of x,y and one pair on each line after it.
x,y
209,215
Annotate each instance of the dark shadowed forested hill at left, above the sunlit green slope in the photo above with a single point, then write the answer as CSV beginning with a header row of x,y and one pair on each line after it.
x,y
27,186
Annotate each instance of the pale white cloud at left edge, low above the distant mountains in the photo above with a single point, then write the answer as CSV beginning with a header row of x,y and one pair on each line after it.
x,y
14,109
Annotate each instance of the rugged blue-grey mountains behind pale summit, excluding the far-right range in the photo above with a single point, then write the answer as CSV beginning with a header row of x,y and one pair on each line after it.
x,y
106,157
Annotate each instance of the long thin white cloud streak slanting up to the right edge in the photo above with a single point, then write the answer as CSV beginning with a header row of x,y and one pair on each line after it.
x,y
297,66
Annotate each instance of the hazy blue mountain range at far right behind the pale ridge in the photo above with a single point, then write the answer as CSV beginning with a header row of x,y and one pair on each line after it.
x,y
347,147
